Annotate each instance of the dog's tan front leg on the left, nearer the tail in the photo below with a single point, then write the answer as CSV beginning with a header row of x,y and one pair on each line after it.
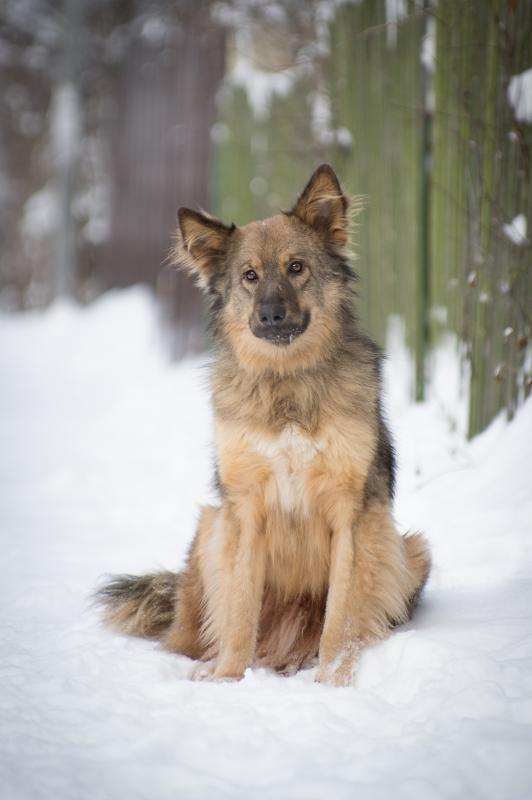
x,y
243,595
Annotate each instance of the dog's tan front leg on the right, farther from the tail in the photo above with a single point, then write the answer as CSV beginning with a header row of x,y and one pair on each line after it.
x,y
339,645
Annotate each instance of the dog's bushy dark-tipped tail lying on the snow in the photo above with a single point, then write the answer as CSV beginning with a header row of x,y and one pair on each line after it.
x,y
139,605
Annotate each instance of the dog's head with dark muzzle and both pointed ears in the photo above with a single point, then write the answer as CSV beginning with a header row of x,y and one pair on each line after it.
x,y
278,286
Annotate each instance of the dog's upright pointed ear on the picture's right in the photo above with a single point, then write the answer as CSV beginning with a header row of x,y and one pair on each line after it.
x,y
323,206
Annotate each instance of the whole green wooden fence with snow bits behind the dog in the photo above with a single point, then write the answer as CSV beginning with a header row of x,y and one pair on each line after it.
x,y
433,146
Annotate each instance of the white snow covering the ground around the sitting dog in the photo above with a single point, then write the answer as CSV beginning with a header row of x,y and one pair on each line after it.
x,y
105,456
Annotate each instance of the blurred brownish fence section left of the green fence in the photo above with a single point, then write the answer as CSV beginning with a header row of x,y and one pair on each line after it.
x,y
161,157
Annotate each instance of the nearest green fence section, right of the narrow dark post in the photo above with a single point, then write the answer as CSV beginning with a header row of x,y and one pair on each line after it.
x,y
481,181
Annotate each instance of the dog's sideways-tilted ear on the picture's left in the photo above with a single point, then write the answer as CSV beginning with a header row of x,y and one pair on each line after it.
x,y
202,242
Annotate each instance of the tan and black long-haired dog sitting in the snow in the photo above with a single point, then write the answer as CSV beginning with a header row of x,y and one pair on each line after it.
x,y
301,558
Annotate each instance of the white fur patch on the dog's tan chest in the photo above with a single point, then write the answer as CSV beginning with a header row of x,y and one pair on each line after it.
x,y
289,456
